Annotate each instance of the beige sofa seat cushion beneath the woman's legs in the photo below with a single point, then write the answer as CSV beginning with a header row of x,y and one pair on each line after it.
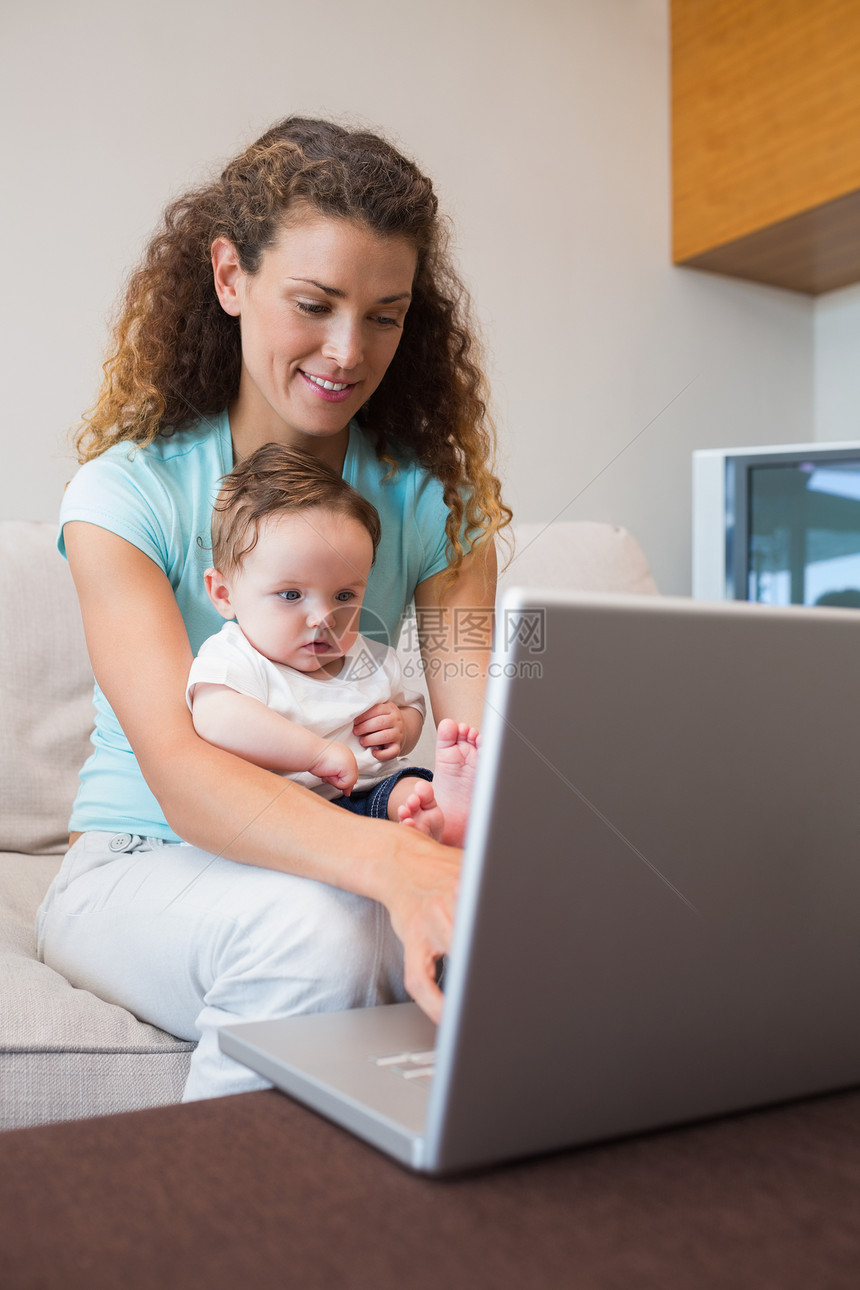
x,y
64,1053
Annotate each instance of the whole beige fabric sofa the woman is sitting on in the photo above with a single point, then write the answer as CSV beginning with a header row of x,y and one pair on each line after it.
x,y
64,1053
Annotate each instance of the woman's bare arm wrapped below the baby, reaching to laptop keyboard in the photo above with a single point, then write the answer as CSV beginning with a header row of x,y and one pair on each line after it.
x,y
141,657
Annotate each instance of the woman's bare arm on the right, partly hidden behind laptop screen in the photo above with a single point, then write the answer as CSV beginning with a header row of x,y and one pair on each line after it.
x,y
456,635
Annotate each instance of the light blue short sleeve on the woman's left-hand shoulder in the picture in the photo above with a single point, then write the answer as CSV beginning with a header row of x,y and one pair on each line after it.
x,y
121,493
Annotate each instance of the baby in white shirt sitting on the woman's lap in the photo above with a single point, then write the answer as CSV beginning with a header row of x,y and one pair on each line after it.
x,y
289,683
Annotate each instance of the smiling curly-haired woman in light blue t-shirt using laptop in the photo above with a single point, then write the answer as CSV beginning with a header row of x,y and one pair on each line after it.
x,y
304,299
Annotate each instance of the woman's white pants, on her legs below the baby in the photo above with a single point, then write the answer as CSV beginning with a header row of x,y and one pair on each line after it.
x,y
190,941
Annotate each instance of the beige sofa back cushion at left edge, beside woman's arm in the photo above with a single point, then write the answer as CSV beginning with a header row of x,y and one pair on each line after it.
x,y
46,691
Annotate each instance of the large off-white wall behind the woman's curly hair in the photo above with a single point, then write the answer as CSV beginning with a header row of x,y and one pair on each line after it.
x,y
546,124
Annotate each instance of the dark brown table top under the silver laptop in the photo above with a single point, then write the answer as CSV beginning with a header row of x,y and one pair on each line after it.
x,y
257,1193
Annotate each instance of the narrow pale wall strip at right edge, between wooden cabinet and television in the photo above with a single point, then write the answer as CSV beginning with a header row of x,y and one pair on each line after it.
x,y
837,366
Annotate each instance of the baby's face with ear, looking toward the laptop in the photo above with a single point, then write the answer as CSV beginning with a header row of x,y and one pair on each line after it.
x,y
300,591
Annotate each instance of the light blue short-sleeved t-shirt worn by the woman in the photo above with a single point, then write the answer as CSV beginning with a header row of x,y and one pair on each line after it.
x,y
161,499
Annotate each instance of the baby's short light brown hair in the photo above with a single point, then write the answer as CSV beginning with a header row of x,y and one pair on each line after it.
x,y
278,481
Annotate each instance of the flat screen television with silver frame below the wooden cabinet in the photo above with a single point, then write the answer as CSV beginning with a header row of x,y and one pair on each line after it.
x,y
778,526
